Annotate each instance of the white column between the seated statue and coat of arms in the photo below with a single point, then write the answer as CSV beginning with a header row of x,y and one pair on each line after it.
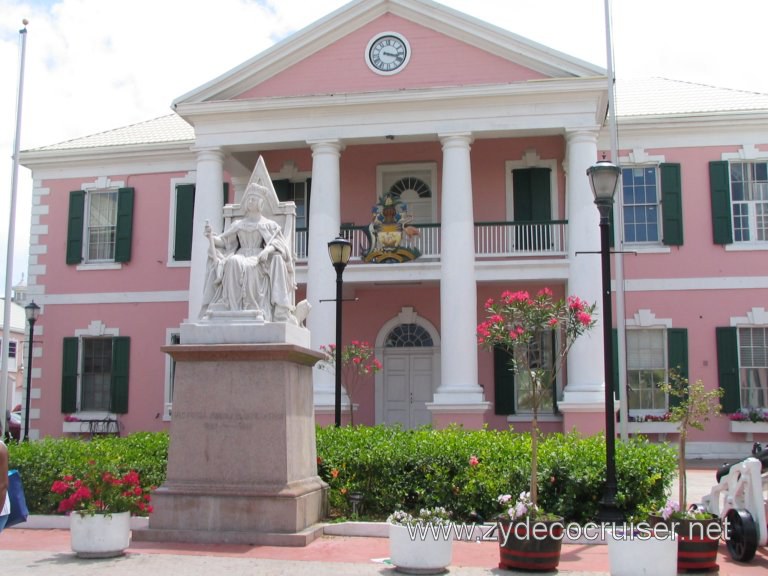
x,y
325,220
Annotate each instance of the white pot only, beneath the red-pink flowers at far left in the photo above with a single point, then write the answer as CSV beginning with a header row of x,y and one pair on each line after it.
x,y
100,535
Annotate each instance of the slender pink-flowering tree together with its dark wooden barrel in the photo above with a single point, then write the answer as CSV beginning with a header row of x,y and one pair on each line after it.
x,y
518,323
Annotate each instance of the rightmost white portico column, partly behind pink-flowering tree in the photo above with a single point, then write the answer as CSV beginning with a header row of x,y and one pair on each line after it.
x,y
585,360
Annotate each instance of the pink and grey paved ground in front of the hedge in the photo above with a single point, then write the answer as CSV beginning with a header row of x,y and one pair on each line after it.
x,y
46,552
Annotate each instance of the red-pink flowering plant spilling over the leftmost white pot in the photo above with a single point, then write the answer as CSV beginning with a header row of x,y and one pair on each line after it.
x,y
103,492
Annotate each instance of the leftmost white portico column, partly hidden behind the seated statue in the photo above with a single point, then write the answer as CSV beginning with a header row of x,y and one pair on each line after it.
x,y
208,206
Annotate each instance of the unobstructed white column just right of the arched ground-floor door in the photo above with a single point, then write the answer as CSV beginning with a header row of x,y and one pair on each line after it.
x,y
458,288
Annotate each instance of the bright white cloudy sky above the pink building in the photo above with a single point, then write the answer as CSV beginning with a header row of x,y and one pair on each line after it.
x,y
93,65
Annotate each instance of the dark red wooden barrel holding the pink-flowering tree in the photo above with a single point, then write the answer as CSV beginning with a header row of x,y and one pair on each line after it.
x,y
530,545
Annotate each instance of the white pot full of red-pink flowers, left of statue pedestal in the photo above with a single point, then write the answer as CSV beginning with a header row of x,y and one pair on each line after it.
x,y
100,504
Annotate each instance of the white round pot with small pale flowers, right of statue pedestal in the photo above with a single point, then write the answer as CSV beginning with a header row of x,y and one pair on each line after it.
x,y
421,544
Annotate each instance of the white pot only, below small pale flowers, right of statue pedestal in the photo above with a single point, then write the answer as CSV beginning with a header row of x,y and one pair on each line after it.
x,y
420,550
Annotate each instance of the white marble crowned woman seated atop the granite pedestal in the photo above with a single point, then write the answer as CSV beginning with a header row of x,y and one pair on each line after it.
x,y
250,266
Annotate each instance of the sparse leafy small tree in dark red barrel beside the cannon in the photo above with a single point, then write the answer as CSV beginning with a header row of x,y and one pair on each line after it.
x,y
698,531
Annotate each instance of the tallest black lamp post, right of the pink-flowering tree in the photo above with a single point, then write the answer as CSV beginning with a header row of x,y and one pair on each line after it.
x,y
603,178
